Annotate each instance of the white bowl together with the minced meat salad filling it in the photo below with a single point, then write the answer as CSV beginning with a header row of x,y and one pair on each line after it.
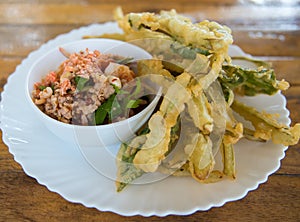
x,y
89,92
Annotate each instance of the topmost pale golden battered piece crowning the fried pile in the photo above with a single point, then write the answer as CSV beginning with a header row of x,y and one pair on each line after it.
x,y
177,27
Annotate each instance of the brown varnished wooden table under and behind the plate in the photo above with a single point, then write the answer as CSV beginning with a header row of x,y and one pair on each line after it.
x,y
269,30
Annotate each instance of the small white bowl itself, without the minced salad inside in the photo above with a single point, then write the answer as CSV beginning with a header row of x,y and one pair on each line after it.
x,y
101,135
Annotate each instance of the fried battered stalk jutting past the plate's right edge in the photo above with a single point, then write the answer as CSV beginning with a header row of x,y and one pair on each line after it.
x,y
266,126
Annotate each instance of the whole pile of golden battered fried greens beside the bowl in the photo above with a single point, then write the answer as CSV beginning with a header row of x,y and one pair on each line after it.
x,y
197,115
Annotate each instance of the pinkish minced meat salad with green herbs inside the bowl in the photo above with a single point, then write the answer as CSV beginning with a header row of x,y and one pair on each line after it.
x,y
81,91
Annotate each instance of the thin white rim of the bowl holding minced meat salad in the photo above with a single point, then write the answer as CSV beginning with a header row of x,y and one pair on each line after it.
x,y
72,126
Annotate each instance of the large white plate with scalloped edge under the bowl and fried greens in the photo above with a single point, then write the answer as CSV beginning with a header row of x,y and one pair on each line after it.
x,y
62,168
